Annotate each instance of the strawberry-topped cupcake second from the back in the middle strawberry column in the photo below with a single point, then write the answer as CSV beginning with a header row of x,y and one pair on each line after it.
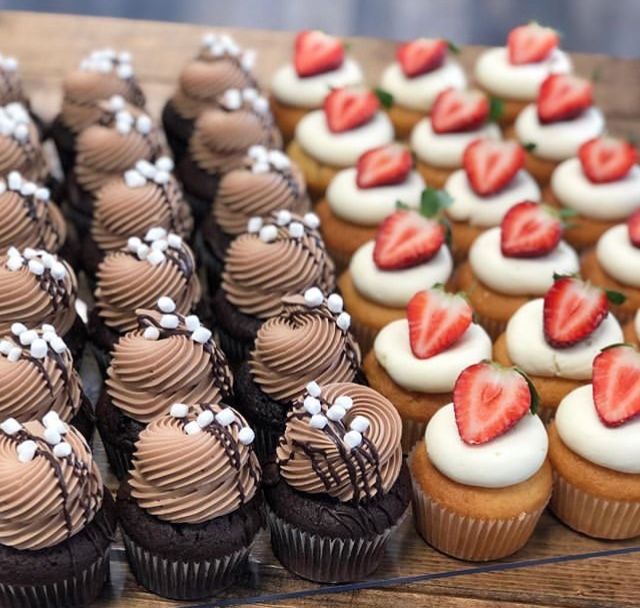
x,y
439,140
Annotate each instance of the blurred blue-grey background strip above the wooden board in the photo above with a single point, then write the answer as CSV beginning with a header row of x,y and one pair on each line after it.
x,y
596,26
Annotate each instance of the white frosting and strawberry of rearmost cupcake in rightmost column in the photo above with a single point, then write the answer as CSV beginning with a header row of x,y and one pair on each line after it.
x,y
517,70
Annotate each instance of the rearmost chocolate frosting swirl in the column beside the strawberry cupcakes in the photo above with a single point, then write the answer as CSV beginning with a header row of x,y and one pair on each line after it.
x,y
219,65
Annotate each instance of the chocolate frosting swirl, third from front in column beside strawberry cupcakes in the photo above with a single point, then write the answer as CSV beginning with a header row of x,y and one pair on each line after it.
x,y
278,255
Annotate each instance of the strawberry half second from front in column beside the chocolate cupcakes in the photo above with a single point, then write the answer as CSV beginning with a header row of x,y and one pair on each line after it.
x,y
436,321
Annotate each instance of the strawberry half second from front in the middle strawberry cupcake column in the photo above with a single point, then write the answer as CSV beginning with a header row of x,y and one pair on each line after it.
x,y
573,310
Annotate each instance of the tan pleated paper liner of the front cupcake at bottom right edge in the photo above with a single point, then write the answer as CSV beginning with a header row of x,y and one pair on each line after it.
x,y
593,515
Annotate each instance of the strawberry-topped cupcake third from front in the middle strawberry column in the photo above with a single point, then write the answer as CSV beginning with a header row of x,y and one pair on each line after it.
x,y
514,263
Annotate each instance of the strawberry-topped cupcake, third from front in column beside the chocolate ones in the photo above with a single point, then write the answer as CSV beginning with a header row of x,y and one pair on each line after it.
x,y
408,254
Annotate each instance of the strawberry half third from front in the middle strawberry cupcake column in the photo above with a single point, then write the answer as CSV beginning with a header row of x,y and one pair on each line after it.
x,y
529,230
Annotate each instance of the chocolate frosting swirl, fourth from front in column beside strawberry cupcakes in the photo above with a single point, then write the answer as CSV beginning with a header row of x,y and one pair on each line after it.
x,y
266,181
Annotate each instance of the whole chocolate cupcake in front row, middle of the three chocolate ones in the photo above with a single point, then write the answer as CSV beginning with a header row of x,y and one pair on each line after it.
x,y
192,505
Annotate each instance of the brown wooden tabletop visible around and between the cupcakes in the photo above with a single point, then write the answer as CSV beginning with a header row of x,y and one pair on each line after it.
x,y
558,567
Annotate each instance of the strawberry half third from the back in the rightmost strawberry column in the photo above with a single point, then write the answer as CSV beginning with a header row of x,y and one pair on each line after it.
x,y
606,159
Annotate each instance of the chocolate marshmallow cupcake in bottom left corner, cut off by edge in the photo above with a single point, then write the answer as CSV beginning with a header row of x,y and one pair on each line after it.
x,y
57,521
